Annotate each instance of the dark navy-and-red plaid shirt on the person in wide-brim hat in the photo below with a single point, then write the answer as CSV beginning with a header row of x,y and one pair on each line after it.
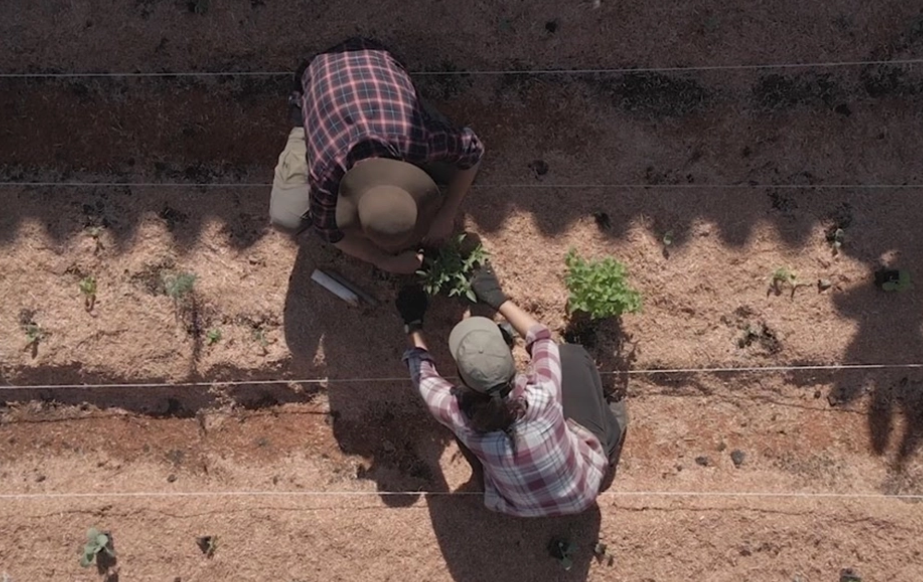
x,y
359,103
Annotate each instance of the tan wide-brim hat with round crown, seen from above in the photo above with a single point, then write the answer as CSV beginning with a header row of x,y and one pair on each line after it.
x,y
393,203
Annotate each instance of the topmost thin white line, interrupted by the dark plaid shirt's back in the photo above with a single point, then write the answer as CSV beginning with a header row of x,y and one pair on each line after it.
x,y
488,72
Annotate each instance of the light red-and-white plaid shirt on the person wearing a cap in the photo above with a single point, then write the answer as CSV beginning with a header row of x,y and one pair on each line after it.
x,y
558,465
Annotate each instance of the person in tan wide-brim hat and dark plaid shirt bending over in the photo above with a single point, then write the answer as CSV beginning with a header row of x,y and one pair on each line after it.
x,y
360,165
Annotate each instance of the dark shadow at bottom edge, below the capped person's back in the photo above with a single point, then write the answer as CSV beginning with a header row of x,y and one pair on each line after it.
x,y
482,546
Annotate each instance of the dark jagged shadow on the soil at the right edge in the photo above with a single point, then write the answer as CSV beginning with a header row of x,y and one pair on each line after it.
x,y
889,332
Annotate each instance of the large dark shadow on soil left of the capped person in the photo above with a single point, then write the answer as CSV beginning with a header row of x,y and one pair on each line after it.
x,y
374,411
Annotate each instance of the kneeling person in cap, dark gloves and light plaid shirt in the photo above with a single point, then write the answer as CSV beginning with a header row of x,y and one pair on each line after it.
x,y
544,443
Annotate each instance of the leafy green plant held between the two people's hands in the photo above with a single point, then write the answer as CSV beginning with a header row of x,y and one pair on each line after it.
x,y
449,270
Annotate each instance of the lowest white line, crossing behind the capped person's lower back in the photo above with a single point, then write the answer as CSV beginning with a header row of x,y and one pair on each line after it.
x,y
257,493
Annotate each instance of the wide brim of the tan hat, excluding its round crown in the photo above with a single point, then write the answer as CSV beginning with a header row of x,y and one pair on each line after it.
x,y
376,172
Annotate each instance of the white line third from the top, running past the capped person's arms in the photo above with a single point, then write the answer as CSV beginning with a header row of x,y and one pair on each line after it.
x,y
650,371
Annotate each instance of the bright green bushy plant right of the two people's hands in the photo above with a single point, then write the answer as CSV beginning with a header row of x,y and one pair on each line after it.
x,y
599,288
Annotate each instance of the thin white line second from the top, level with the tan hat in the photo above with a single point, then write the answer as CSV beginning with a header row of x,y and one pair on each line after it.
x,y
480,186
